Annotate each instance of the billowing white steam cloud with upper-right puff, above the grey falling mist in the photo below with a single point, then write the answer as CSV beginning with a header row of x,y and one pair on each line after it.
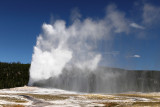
x,y
75,45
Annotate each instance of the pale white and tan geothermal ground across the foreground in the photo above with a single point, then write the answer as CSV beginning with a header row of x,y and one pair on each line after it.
x,y
42,97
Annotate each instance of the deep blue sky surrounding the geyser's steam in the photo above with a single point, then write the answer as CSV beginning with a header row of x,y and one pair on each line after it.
x,y
21,21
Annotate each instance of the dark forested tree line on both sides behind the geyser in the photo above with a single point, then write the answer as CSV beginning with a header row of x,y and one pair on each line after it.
x,y
17,74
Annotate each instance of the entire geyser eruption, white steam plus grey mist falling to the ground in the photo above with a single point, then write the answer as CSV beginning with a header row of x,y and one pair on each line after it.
x,y
67,57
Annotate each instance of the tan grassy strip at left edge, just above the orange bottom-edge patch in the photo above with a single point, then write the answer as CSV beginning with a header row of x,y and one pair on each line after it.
x,y
13,99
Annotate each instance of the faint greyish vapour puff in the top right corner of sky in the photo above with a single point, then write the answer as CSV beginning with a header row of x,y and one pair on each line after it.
x,y
150,14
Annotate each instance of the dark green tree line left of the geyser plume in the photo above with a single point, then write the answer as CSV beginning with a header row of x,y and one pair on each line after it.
x,y
13,74
